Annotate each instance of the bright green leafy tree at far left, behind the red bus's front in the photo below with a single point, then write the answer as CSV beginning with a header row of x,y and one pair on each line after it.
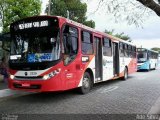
x,y
12,10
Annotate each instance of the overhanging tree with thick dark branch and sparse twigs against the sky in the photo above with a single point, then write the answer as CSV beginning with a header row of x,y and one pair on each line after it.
x,y
134,12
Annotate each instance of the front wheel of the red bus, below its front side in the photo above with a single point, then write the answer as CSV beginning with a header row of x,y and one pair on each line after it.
x,y
86,83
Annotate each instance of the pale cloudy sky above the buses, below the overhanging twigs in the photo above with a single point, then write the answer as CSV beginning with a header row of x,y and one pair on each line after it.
x,y
147,35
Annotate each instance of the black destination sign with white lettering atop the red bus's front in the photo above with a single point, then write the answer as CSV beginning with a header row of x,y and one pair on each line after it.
x,y
34,23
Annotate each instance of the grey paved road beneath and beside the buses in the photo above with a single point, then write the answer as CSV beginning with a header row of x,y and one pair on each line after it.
x,y
136,96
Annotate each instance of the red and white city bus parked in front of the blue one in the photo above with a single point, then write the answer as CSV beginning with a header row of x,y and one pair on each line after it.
x,y
51,53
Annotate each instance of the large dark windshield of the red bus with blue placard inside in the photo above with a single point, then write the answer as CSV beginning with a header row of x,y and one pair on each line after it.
x,y
35,45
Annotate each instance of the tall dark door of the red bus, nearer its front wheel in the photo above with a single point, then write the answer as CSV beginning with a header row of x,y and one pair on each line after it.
x,y
98,59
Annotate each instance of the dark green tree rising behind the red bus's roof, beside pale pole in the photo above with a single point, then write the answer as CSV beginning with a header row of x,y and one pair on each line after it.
x,y
77,10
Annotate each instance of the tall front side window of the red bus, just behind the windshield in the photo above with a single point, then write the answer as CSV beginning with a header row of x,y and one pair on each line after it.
x,y
70,43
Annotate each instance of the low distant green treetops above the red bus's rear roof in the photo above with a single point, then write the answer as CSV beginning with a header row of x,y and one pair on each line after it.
x,y
119,35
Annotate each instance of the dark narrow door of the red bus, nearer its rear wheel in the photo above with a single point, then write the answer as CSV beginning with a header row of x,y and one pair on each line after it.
x,y
115,59
